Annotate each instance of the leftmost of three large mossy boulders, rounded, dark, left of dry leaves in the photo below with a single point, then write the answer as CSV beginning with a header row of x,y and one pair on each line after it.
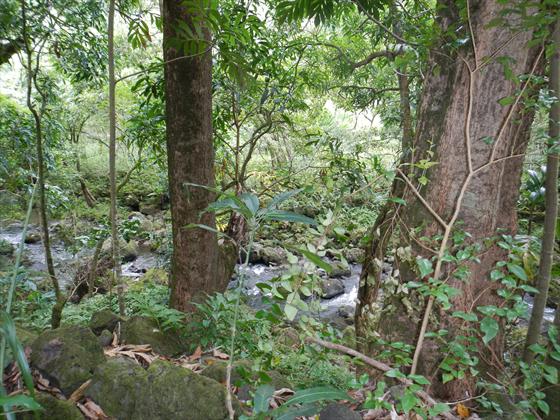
x,y
67,356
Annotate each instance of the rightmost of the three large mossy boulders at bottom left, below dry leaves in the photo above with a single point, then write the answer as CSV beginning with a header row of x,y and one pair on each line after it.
x,y
179,393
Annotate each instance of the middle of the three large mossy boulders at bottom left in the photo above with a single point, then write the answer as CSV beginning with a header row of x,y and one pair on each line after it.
x,y
120,387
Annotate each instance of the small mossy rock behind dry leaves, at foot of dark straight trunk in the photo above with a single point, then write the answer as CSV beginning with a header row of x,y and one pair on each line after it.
x,y
143,330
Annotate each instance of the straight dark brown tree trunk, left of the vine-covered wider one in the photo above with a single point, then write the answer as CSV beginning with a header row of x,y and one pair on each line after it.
x,y
188,86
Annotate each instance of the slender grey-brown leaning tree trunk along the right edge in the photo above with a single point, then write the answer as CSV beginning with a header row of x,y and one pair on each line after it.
x,y
551,206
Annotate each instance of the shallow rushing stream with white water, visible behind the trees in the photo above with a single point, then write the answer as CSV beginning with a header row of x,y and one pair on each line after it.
x,y
338,310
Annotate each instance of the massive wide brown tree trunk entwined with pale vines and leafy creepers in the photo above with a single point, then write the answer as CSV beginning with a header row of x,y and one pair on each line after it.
x,y
459,109
